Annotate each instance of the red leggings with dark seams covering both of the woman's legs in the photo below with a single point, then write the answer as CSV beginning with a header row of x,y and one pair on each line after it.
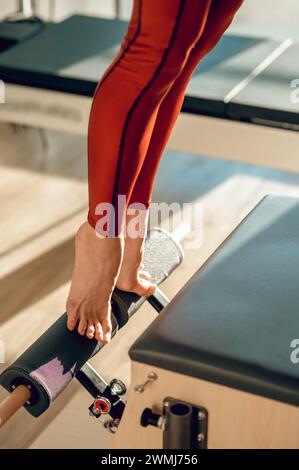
x,y
140,95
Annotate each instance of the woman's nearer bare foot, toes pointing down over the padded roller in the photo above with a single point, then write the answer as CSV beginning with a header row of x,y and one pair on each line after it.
x,y
95,273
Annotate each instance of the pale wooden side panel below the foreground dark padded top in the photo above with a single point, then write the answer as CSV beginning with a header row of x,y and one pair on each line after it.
x,y
237,419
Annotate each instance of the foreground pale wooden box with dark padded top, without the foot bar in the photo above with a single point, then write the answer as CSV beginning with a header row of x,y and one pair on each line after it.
x,y
216,368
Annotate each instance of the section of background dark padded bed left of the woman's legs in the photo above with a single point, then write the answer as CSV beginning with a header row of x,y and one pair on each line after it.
x,y
70,56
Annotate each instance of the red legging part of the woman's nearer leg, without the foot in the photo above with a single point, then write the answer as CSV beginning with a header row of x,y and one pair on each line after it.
x,y
128,97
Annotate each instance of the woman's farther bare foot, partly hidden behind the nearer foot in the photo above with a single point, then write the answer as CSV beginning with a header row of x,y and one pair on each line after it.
x,y
132,277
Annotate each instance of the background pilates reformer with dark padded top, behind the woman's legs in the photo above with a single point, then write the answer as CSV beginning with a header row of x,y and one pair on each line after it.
x,y
50,79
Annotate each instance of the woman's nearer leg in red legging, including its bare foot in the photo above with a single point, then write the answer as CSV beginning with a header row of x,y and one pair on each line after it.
x,y
153,54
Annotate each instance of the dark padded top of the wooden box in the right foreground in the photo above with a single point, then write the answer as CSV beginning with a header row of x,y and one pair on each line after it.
x,y
235,320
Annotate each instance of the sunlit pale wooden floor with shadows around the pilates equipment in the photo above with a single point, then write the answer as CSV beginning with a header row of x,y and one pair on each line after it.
x,y
43,195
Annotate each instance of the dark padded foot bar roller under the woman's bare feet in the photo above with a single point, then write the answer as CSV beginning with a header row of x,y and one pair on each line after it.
x,y
53,360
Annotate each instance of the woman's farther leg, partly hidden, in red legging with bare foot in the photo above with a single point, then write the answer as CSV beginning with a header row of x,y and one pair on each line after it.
x,y
220,16
